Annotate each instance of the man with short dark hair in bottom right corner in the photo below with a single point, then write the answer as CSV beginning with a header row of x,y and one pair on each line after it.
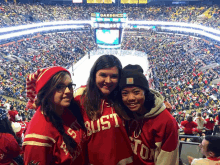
x,y
210,149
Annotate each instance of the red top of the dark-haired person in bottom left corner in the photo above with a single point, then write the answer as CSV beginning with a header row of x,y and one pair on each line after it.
x,y
9,148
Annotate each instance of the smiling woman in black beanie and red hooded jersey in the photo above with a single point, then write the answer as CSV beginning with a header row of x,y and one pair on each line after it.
x,y
152,130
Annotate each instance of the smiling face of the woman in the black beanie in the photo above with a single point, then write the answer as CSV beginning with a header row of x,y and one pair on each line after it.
x,y
133,98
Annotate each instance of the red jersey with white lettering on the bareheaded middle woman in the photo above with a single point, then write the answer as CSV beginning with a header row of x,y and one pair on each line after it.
x,y
108,143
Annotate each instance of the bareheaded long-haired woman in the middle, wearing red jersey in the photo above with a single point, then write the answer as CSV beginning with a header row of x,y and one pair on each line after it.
x,y
108,142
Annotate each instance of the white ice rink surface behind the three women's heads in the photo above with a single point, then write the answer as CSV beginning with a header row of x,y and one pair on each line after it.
x,y
81,70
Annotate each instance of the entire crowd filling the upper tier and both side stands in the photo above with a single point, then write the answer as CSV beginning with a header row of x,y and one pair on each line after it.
x,y
179,64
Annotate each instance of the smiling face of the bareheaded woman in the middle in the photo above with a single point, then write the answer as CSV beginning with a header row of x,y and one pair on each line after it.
x,y
107,80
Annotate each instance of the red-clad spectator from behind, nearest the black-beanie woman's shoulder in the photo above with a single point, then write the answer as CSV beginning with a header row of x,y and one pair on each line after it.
x,y
189,126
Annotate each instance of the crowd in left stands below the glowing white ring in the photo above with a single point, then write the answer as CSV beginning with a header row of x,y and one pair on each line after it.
x,y
58,48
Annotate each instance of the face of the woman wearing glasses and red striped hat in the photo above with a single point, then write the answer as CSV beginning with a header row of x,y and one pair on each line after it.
x,y
62,98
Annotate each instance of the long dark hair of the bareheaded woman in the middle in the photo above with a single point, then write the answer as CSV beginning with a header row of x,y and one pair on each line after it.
x,y
92,95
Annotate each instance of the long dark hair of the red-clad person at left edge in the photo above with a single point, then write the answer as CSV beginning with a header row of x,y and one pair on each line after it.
x,y
5,127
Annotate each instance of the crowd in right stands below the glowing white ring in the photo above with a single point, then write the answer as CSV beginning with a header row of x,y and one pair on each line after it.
x,y
181,71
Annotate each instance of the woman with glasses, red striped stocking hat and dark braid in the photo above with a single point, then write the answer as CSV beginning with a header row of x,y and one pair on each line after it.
x,y
55,134
